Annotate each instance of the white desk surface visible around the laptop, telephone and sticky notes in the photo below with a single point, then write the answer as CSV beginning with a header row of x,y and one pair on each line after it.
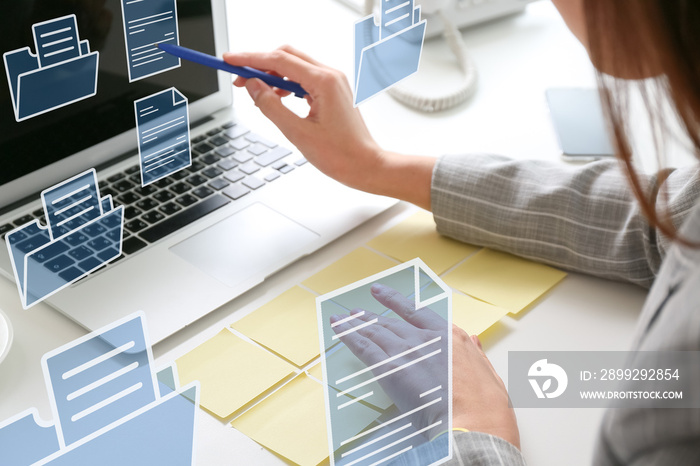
x,y
517,58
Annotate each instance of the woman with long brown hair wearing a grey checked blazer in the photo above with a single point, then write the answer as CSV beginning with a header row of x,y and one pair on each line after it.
x,y
583,219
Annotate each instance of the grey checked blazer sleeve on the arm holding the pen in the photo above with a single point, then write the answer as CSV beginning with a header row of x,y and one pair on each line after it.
x,y
582,218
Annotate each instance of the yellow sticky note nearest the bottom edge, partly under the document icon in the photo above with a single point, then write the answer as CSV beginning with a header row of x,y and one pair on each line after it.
x,y
292,422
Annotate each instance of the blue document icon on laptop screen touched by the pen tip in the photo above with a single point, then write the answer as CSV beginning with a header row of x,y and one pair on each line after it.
x,y
146,24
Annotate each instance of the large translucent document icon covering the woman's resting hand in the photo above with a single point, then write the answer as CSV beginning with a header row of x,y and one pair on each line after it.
x,y
386,342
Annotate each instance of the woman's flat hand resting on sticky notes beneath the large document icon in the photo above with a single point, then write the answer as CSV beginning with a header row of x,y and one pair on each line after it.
x,y
479,398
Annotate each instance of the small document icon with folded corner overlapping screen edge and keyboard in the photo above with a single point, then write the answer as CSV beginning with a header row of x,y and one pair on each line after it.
x,y
163,127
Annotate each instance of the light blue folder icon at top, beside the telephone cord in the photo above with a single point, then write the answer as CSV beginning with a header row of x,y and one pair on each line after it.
x,y
389,52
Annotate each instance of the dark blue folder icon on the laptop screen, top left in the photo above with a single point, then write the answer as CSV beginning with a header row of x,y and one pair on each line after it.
x,y
61,72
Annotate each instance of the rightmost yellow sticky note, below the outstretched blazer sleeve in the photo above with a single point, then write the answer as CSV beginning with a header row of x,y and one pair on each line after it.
x,y
503,280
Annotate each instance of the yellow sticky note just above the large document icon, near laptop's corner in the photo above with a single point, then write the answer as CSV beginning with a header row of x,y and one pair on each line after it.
x,y
359,264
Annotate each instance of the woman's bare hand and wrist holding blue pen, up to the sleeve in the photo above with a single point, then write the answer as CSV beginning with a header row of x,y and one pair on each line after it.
x,y
333,137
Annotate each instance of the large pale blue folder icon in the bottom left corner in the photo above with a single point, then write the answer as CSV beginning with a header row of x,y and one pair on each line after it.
x,y
109,406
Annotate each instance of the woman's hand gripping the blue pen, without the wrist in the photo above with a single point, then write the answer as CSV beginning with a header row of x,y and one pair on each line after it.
x,y
333,136
